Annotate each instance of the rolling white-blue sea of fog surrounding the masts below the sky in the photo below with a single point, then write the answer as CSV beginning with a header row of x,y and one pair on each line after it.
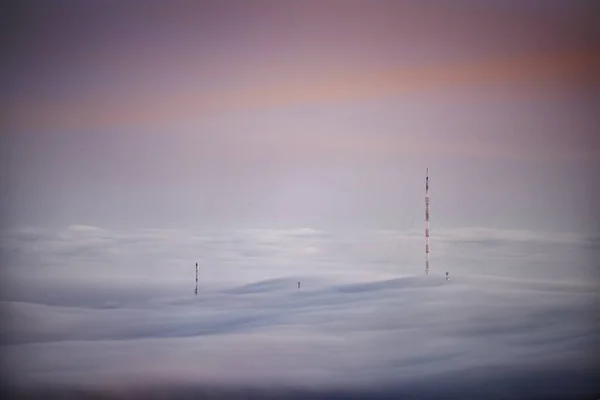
x,y
89,311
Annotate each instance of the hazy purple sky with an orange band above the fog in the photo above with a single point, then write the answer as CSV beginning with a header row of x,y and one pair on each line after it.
x,y
293,114
